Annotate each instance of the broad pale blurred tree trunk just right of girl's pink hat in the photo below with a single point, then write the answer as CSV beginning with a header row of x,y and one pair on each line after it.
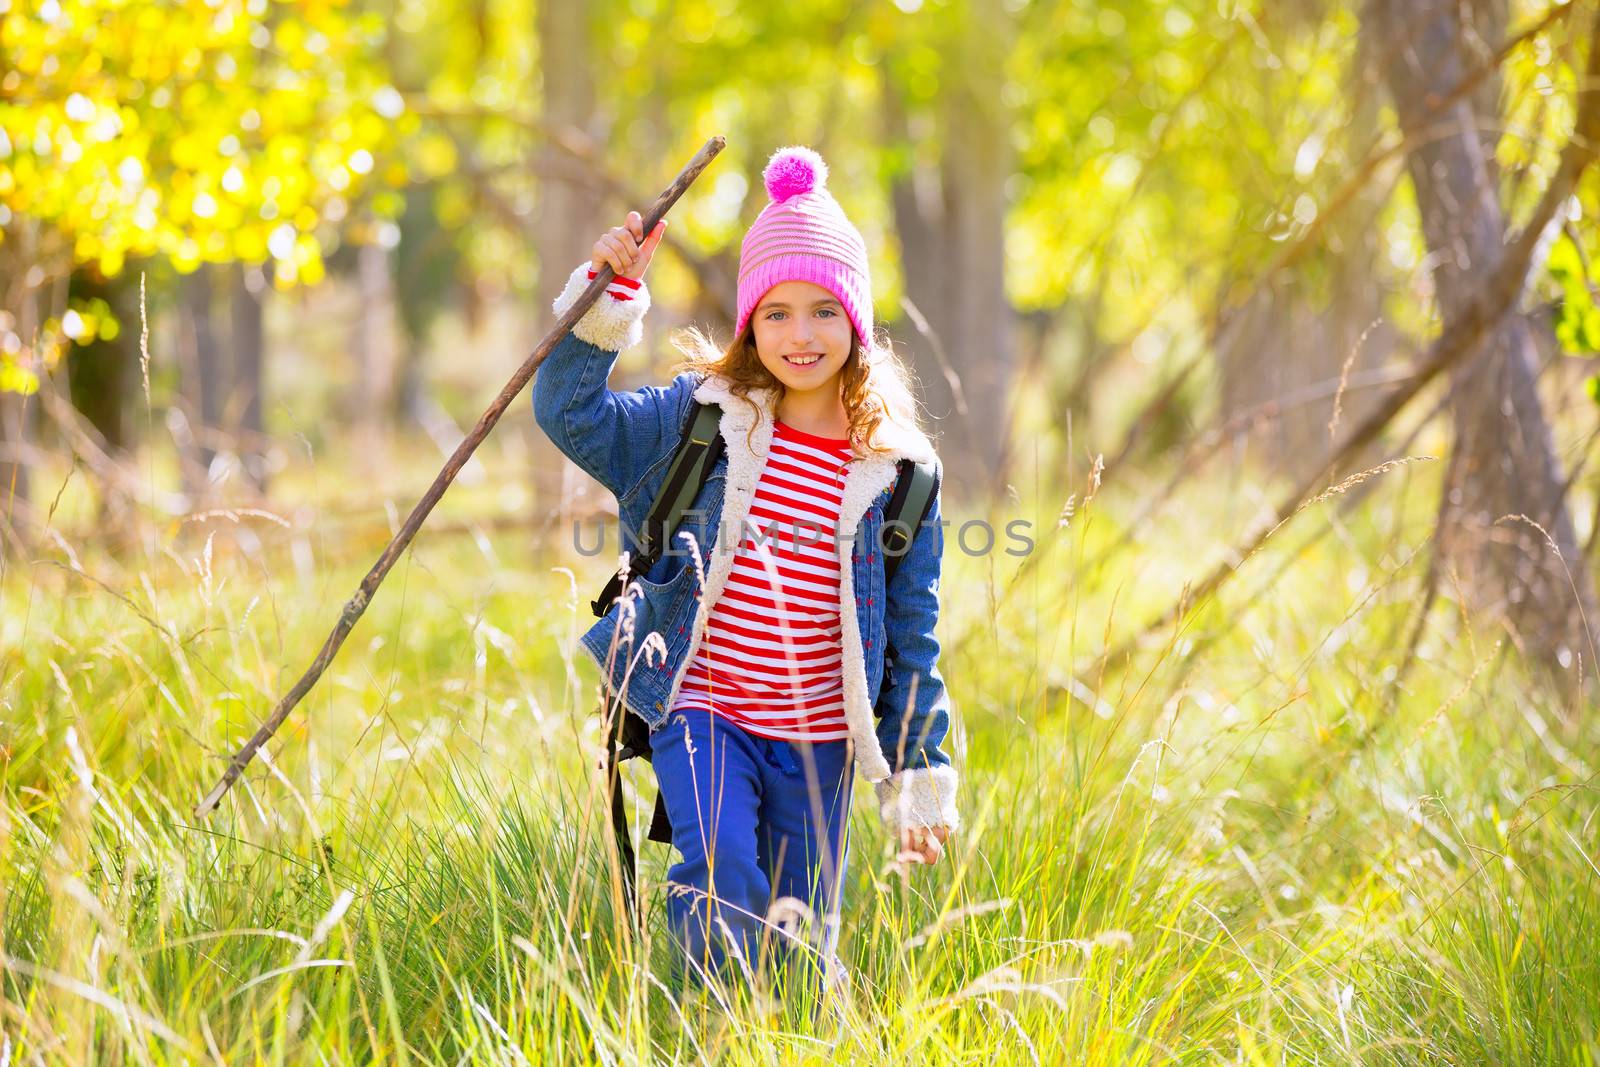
x,y
951,226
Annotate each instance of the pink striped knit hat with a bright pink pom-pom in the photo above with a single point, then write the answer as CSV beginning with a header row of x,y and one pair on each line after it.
x,y
804,236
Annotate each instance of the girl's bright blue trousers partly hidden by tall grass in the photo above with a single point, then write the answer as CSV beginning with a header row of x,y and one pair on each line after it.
x,y
754,820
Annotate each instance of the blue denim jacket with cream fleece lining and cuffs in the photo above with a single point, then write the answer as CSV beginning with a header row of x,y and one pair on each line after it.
x,y
900,713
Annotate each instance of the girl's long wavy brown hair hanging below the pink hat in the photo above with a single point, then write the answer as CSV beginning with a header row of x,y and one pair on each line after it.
x,y
876,385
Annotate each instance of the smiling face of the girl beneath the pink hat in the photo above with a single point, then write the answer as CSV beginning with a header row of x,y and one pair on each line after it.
x,y
802,337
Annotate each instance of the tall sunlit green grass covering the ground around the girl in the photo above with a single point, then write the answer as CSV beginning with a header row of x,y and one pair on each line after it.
x,y
1250,845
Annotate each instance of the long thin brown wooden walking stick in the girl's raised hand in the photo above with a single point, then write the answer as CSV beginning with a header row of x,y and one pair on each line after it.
x,y
364,596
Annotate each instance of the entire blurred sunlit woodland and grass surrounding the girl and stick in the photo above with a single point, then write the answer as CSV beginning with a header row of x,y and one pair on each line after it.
x,y
1274,321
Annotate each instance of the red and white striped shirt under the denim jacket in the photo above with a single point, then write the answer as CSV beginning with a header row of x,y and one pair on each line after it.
x,y
770,660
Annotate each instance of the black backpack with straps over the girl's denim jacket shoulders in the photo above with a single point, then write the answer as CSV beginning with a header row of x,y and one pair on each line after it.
x,y
700,447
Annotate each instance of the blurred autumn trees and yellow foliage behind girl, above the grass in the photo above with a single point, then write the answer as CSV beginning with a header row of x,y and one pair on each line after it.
x,y
238,236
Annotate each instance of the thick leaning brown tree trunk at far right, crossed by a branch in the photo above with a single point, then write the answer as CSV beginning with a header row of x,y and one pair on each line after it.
x,y
1508,463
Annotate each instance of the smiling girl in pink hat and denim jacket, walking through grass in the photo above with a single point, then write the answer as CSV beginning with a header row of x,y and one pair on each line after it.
x,y
764,650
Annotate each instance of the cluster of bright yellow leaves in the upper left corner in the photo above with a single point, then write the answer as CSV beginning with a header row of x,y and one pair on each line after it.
x,y
167,130
